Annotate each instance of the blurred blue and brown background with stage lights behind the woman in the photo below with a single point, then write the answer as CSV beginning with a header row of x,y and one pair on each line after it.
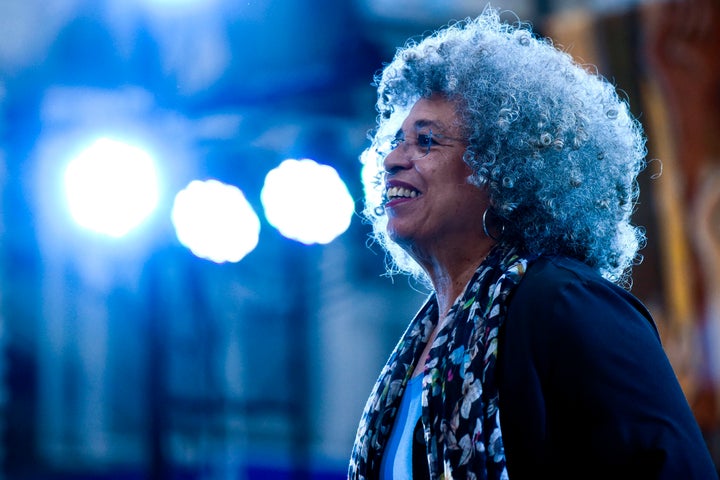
x,y
163,316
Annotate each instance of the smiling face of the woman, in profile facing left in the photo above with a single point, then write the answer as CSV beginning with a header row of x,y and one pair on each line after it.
x,y
430,205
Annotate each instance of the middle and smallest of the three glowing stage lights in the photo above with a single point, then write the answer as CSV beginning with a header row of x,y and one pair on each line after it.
x,y
215,221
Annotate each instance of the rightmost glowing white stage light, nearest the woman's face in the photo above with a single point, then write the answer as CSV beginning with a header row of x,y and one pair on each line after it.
x,y
306,201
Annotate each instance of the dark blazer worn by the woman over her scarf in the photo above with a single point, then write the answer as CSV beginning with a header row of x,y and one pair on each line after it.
x,y
586,390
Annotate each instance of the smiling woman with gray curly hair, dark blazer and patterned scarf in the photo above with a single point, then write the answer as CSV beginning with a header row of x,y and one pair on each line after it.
x,y
509,180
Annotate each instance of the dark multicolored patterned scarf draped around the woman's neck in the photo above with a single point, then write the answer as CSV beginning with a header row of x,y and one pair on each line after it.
x,y
460,396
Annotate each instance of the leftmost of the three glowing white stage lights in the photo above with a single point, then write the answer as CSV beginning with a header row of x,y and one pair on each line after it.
x,y
111,187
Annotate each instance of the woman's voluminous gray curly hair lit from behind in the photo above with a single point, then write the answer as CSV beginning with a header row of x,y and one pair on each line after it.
x,y
557,149
